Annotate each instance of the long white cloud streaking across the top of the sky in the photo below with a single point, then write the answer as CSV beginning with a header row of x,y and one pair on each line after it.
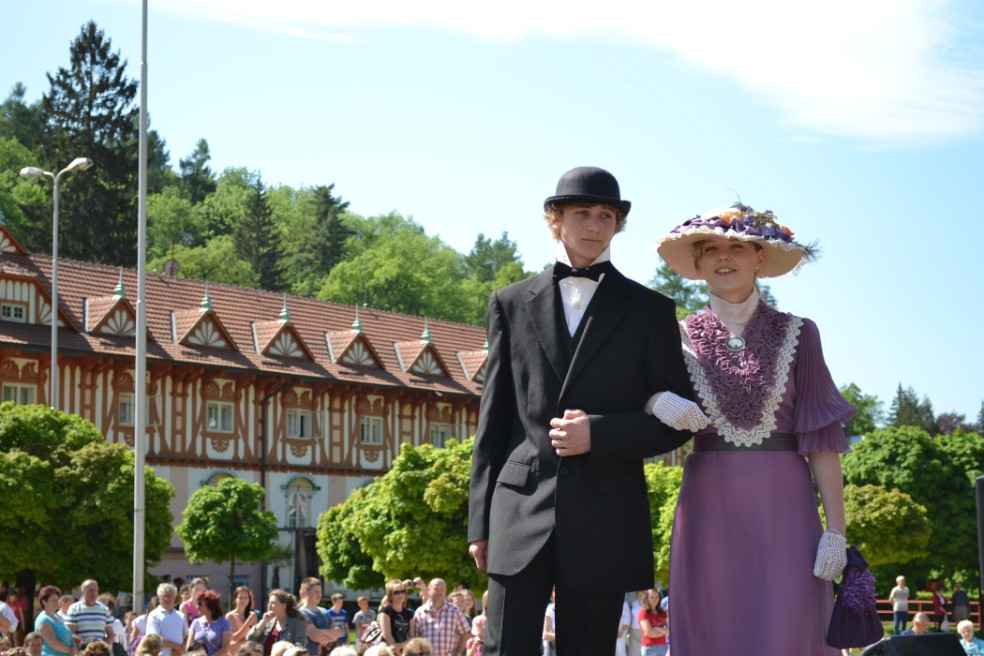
x,y
880,70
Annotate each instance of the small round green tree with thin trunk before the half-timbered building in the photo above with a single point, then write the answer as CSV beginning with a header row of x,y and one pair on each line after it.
x,y
224,522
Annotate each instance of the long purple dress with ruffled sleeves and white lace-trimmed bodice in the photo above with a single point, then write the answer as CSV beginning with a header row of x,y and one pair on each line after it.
x,y
746,528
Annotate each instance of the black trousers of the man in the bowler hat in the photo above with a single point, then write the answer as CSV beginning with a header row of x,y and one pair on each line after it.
x,y
586,621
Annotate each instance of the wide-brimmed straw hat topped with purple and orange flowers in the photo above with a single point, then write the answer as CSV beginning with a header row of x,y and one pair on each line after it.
x,y
782,253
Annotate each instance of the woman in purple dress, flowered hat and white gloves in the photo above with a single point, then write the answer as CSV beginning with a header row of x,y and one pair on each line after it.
x,y
769,417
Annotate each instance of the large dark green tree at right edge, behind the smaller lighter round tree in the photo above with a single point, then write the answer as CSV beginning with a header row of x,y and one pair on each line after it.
x,y
937,473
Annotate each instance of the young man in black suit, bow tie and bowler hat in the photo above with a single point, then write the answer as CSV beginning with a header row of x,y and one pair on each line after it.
x,y
558,495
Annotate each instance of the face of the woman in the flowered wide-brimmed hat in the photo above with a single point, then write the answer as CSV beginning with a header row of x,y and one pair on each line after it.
x,y
729,267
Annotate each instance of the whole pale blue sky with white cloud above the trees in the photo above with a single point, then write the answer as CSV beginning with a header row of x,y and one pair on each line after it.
x,y
858,123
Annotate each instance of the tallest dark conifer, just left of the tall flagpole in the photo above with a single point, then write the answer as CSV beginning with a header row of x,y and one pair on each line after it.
x,y
89,112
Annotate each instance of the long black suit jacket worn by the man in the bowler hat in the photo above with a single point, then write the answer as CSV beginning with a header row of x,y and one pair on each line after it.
x,y
596,503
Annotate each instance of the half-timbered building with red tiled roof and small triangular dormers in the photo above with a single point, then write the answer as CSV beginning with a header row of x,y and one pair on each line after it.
x,y
308,398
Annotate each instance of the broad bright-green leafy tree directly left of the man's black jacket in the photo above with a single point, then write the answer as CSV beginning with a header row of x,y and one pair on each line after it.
x,y
411,521
